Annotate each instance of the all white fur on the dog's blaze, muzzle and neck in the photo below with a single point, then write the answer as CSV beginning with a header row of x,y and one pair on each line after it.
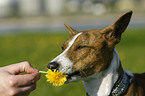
x,y
99,84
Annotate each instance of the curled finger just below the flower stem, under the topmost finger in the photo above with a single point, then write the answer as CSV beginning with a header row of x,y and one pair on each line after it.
x,y
23,80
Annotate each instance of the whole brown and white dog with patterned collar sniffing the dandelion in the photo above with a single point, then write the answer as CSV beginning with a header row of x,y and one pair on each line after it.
x,y
91,56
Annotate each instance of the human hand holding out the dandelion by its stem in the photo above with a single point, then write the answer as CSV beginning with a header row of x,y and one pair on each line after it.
x,y
12,84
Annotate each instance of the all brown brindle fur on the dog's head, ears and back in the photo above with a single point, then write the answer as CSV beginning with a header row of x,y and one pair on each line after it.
x,y
92,52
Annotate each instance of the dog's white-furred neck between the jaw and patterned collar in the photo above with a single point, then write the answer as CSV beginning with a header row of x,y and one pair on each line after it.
x,y
100,84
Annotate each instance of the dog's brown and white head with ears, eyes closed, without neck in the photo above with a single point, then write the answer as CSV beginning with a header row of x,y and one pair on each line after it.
x,y
89,52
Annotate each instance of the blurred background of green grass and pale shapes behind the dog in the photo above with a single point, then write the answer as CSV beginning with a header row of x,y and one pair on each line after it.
x,y
33,30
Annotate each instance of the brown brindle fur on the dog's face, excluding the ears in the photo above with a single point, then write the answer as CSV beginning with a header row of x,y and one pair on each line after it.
x,y
95,57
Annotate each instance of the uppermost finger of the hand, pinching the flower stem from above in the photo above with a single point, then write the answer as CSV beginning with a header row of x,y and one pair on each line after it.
x,y
21,67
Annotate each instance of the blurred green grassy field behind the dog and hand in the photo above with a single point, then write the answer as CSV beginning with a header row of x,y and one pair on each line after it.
x,y
40,48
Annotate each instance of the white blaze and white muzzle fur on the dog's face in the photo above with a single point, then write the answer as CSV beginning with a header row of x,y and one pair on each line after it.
x,y
63,60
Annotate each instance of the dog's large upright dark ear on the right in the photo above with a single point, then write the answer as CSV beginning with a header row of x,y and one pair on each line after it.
x,y
114,31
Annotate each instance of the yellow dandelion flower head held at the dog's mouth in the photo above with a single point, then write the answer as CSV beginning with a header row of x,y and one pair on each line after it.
x,y
56,78
